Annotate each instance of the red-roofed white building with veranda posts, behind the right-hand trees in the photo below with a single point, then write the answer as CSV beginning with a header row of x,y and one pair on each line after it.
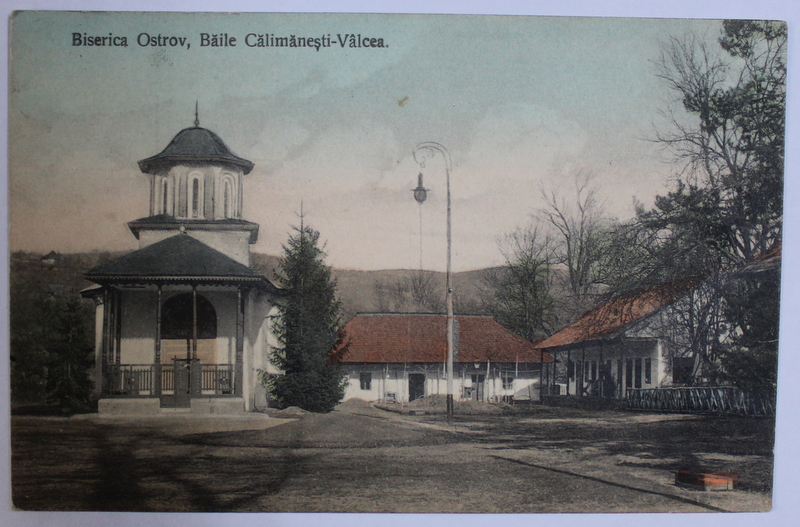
x,y
652,337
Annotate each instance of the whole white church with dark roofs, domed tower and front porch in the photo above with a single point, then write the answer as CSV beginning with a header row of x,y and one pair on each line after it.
x,y
184,323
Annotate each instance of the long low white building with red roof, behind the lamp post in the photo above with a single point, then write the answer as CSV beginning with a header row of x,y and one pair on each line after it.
x,y
401,357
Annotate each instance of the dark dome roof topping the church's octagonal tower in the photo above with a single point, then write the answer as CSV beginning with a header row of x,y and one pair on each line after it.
x,y
195,145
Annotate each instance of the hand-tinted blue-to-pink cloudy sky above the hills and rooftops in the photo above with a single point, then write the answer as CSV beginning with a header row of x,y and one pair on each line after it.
x,y
521,103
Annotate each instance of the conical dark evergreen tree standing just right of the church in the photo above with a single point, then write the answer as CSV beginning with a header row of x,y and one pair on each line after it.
x,y
307,328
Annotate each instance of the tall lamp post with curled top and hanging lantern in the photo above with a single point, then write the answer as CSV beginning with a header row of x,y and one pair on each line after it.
x,y
423,152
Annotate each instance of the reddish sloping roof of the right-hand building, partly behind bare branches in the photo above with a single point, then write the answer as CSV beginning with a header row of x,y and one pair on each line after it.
x,y
614,315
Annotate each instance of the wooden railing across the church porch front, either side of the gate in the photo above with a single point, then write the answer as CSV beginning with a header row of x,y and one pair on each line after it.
x,y
136,380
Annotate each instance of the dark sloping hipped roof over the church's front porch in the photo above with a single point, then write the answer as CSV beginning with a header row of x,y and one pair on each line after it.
x,y
177,258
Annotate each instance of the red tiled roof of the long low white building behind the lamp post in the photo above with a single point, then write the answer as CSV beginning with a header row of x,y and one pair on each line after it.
x,y
397,338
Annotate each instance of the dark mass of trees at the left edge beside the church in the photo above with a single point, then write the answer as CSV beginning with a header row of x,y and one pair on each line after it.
x,y
51,348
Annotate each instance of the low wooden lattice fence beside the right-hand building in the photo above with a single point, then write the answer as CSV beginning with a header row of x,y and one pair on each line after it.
x,y
716,400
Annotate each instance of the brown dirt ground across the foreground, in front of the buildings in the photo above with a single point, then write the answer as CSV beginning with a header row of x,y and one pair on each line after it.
x,y
360,458
